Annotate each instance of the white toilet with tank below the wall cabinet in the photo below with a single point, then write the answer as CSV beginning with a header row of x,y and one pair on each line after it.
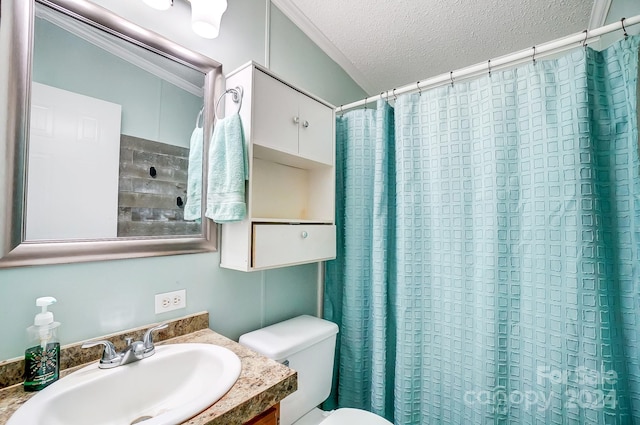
x,y
306,344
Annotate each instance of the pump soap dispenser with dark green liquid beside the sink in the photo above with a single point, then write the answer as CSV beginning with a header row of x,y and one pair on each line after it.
x,y
42,360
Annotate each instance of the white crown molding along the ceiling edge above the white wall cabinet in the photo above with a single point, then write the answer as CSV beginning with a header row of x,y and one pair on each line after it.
x,y
296,16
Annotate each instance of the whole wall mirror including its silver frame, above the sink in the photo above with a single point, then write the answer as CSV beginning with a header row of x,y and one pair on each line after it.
x,y
100,117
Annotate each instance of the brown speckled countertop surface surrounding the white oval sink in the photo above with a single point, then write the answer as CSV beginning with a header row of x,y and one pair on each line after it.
x,y
262,383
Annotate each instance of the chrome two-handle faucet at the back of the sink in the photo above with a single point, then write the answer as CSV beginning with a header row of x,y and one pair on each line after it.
x,y
134,351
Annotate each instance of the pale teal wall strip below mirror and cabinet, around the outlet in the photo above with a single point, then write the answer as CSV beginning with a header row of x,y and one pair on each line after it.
x,y
103,297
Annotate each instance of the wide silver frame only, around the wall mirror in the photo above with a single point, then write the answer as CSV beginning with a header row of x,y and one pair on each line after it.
x,y
16,41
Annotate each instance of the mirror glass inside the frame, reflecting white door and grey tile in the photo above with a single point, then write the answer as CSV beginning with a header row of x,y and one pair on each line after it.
x,y
103,113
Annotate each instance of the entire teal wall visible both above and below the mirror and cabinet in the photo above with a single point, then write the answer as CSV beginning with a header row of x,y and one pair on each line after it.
x,y
103,297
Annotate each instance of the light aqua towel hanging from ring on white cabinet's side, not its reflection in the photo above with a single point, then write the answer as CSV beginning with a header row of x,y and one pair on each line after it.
x,y
228,170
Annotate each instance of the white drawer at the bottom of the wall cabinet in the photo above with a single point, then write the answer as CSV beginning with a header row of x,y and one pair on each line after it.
x,y
288,244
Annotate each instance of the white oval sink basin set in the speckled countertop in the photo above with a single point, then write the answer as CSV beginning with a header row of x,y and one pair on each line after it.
x,y
176,383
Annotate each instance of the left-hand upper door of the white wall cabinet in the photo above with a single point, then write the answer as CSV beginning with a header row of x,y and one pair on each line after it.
x,y
275,114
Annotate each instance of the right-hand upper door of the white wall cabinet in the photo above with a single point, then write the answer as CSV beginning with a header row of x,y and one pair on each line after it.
x,y
316,131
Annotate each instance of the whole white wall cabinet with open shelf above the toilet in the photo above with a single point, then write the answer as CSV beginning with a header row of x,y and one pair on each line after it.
x,y
290,138
